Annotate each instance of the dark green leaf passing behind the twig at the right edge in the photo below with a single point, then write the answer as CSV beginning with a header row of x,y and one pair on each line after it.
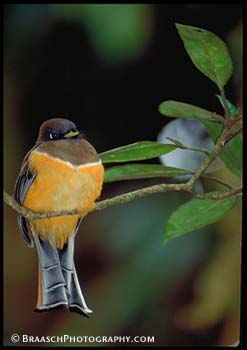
x,y
232,152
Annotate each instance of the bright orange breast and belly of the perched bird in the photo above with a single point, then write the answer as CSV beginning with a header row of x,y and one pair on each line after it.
x,y
61,186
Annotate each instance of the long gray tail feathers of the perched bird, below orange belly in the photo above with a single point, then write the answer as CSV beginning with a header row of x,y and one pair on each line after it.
x,y
58,282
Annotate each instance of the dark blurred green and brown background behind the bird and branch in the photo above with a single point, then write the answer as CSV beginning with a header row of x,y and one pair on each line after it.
x,y
107,68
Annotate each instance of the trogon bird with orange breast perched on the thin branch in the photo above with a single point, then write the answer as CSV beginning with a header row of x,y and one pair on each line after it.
x,y
61,172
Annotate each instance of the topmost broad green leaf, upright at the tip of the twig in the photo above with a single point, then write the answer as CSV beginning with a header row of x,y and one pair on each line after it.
x,y
208,53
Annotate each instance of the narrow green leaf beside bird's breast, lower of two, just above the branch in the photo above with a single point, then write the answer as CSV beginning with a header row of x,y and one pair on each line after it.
x,y
141,171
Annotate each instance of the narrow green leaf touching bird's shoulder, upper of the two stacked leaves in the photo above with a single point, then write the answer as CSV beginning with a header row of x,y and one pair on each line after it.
x,y
136,151
